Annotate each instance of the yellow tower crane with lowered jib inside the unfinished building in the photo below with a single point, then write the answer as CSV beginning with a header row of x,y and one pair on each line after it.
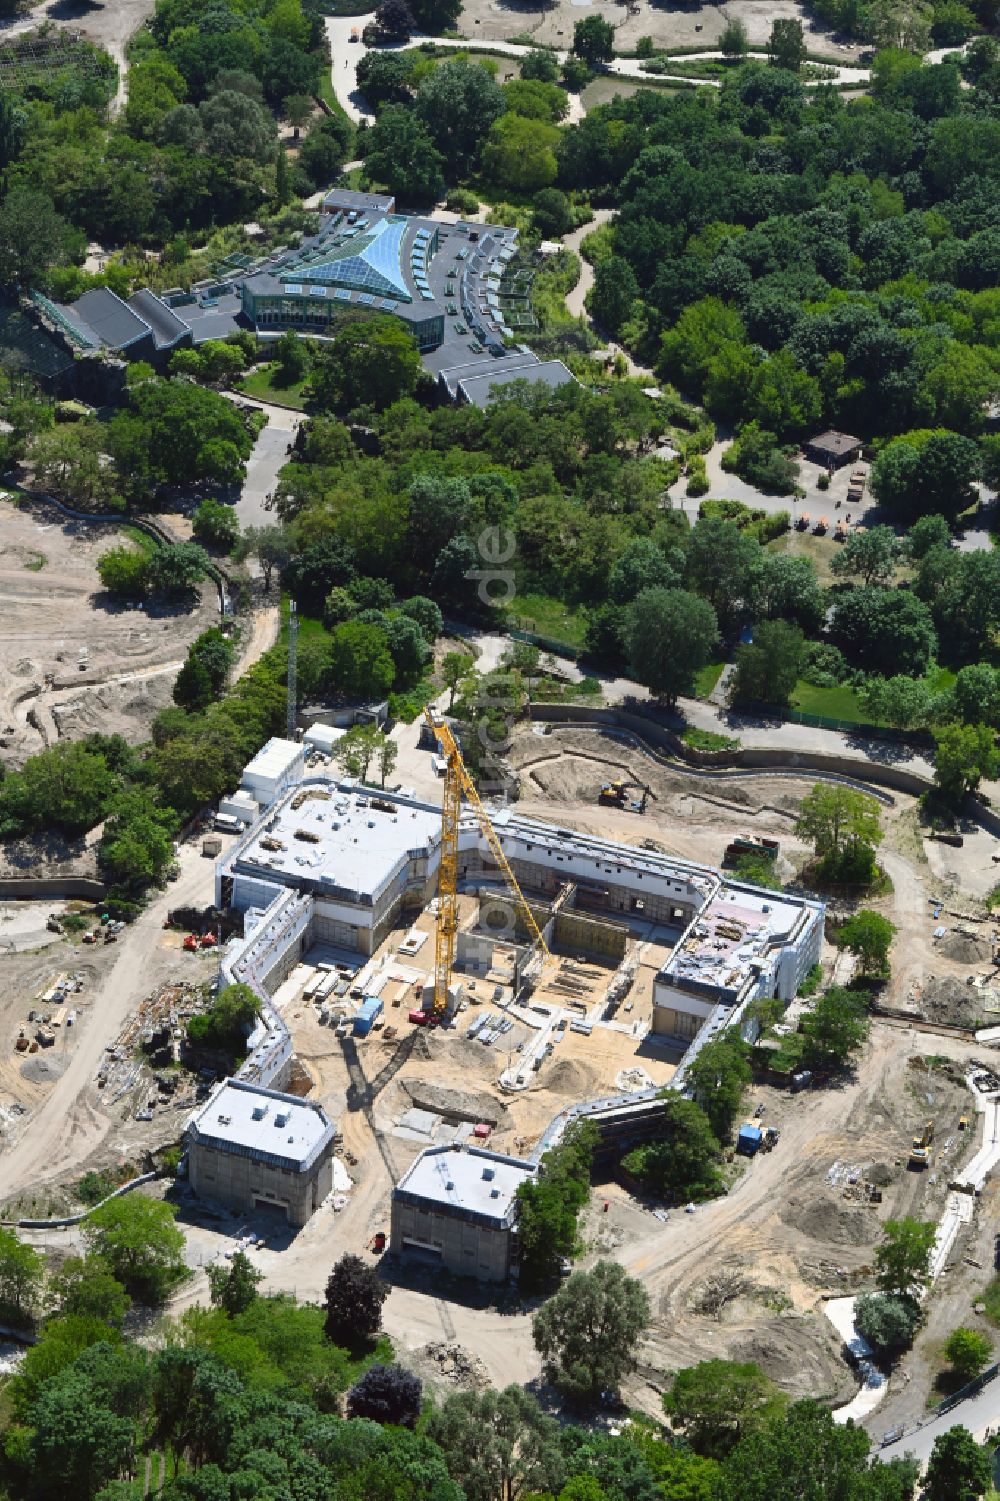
x,y
459,781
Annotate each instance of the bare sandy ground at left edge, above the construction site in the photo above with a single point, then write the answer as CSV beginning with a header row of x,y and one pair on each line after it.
x,y
71,661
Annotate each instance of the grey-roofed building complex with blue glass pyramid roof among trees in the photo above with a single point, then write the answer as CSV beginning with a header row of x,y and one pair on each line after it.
x,y
459,289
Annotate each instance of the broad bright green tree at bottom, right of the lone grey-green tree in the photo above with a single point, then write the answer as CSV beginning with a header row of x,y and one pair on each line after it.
x,y
717,1403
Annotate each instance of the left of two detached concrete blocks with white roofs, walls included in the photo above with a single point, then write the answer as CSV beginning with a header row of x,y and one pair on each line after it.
x,y
256,1149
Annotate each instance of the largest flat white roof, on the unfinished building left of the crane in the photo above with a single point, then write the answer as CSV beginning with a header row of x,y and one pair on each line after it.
x,y
333,835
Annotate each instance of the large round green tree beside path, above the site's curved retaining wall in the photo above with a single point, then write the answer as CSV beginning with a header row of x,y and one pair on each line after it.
x,y
669,636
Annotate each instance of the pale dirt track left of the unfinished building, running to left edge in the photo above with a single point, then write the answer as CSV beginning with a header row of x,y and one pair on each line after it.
x,y
73,1122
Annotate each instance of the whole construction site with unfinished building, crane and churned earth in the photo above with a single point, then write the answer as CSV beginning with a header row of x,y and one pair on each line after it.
x,y
453,1033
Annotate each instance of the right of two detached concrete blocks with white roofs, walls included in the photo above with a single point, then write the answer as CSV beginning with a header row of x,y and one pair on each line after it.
x,y
457,1208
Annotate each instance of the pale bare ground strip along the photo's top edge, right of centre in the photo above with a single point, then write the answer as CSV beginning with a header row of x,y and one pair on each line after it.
x,y
669,25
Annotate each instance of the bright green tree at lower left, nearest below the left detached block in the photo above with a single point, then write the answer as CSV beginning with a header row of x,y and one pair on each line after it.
x,y
140,1244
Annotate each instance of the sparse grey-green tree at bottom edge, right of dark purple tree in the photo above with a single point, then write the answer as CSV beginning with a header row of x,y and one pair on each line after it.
x,y
498,1445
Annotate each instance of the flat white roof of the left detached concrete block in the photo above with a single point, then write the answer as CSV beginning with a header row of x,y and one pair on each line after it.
x,y
253,1122
